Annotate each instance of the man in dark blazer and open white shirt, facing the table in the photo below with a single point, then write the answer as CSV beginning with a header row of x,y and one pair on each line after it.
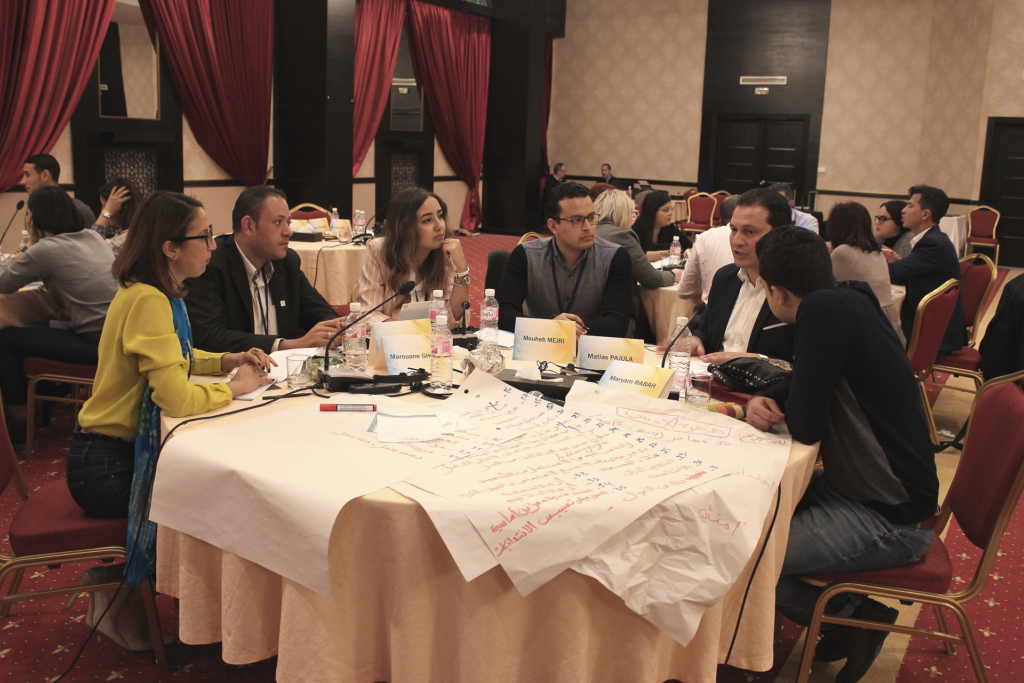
x,y
739,321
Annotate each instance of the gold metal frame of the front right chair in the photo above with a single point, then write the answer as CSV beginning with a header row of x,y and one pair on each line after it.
x,y
955,602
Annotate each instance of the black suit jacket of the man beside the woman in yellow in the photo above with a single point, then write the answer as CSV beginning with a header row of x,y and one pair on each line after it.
x,y
221,303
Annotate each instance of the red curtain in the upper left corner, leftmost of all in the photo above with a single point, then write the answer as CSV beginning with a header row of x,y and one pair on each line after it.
x,y
48,52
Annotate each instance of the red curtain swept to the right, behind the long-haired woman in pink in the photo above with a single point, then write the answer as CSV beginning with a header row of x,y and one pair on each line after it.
x,y
452,57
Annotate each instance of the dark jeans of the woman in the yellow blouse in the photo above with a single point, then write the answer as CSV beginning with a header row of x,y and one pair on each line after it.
x,y
100,474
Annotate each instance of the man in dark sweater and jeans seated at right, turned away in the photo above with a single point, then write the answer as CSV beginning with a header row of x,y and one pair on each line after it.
x,y
873,504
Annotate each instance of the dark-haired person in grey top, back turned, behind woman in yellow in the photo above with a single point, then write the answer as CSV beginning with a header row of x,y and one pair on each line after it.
x,y
75,268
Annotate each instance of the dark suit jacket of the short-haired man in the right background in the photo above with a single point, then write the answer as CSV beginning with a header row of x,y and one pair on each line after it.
x,y
931,264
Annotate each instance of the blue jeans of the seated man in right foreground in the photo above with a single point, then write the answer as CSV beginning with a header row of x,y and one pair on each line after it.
x,y
832,533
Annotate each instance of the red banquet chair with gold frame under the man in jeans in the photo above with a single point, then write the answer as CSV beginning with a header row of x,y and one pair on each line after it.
x,y
983,497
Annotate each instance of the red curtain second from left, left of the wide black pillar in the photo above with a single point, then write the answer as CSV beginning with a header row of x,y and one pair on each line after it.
x,y
221,56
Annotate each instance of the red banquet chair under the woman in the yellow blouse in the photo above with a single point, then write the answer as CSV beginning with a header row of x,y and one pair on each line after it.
x,y
49,531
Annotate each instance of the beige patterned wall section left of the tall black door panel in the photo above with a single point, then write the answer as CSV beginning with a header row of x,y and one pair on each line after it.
x,y
627,89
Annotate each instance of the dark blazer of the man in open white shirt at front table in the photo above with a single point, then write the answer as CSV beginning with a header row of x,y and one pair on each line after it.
x,y
771,336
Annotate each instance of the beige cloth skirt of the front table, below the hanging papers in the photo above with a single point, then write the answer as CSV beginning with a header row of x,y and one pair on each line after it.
x,y
401,611
